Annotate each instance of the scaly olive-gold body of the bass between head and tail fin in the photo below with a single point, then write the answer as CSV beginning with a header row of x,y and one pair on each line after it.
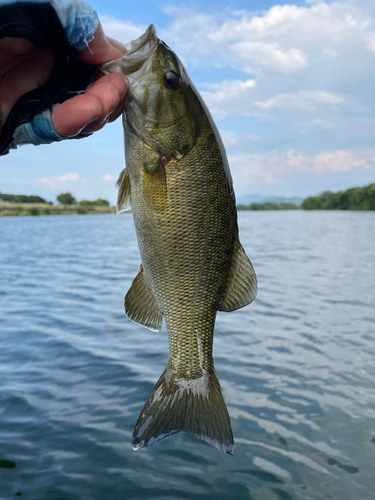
x,y
188,268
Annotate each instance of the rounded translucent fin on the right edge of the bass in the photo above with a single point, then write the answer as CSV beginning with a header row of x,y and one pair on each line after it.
x,y
242,285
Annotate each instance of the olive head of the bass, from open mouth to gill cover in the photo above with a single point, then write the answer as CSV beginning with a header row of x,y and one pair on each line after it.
x,y
162,106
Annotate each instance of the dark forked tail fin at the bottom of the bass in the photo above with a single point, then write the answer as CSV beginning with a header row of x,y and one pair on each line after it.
x,y
194,406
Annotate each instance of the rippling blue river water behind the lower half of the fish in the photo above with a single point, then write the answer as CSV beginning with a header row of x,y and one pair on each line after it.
x,y
297,367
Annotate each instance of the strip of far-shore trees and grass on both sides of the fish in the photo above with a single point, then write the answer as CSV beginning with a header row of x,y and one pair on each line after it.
x,y
357,198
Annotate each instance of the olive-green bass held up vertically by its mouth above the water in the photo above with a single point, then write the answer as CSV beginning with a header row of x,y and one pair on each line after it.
x,y
178,184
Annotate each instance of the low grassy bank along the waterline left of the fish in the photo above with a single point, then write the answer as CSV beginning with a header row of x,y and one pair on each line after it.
x,y
13,209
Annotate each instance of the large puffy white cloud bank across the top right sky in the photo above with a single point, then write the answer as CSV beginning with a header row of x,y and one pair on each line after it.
x,y
285,38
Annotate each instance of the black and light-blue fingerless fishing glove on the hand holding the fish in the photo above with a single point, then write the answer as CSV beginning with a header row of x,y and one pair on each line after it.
x,y
67,27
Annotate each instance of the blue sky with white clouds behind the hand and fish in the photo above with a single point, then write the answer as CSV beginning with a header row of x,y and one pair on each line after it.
x,y
290,86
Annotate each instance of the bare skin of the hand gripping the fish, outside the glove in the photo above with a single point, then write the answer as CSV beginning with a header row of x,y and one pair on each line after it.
x,y
23,68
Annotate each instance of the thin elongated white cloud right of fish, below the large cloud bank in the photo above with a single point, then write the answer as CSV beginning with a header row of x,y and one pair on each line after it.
x,y
302,100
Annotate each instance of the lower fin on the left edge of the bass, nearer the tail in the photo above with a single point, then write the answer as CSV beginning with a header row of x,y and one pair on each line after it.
x,y
141,306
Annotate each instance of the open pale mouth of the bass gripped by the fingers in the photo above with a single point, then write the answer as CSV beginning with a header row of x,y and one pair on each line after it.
x,y
138,52
